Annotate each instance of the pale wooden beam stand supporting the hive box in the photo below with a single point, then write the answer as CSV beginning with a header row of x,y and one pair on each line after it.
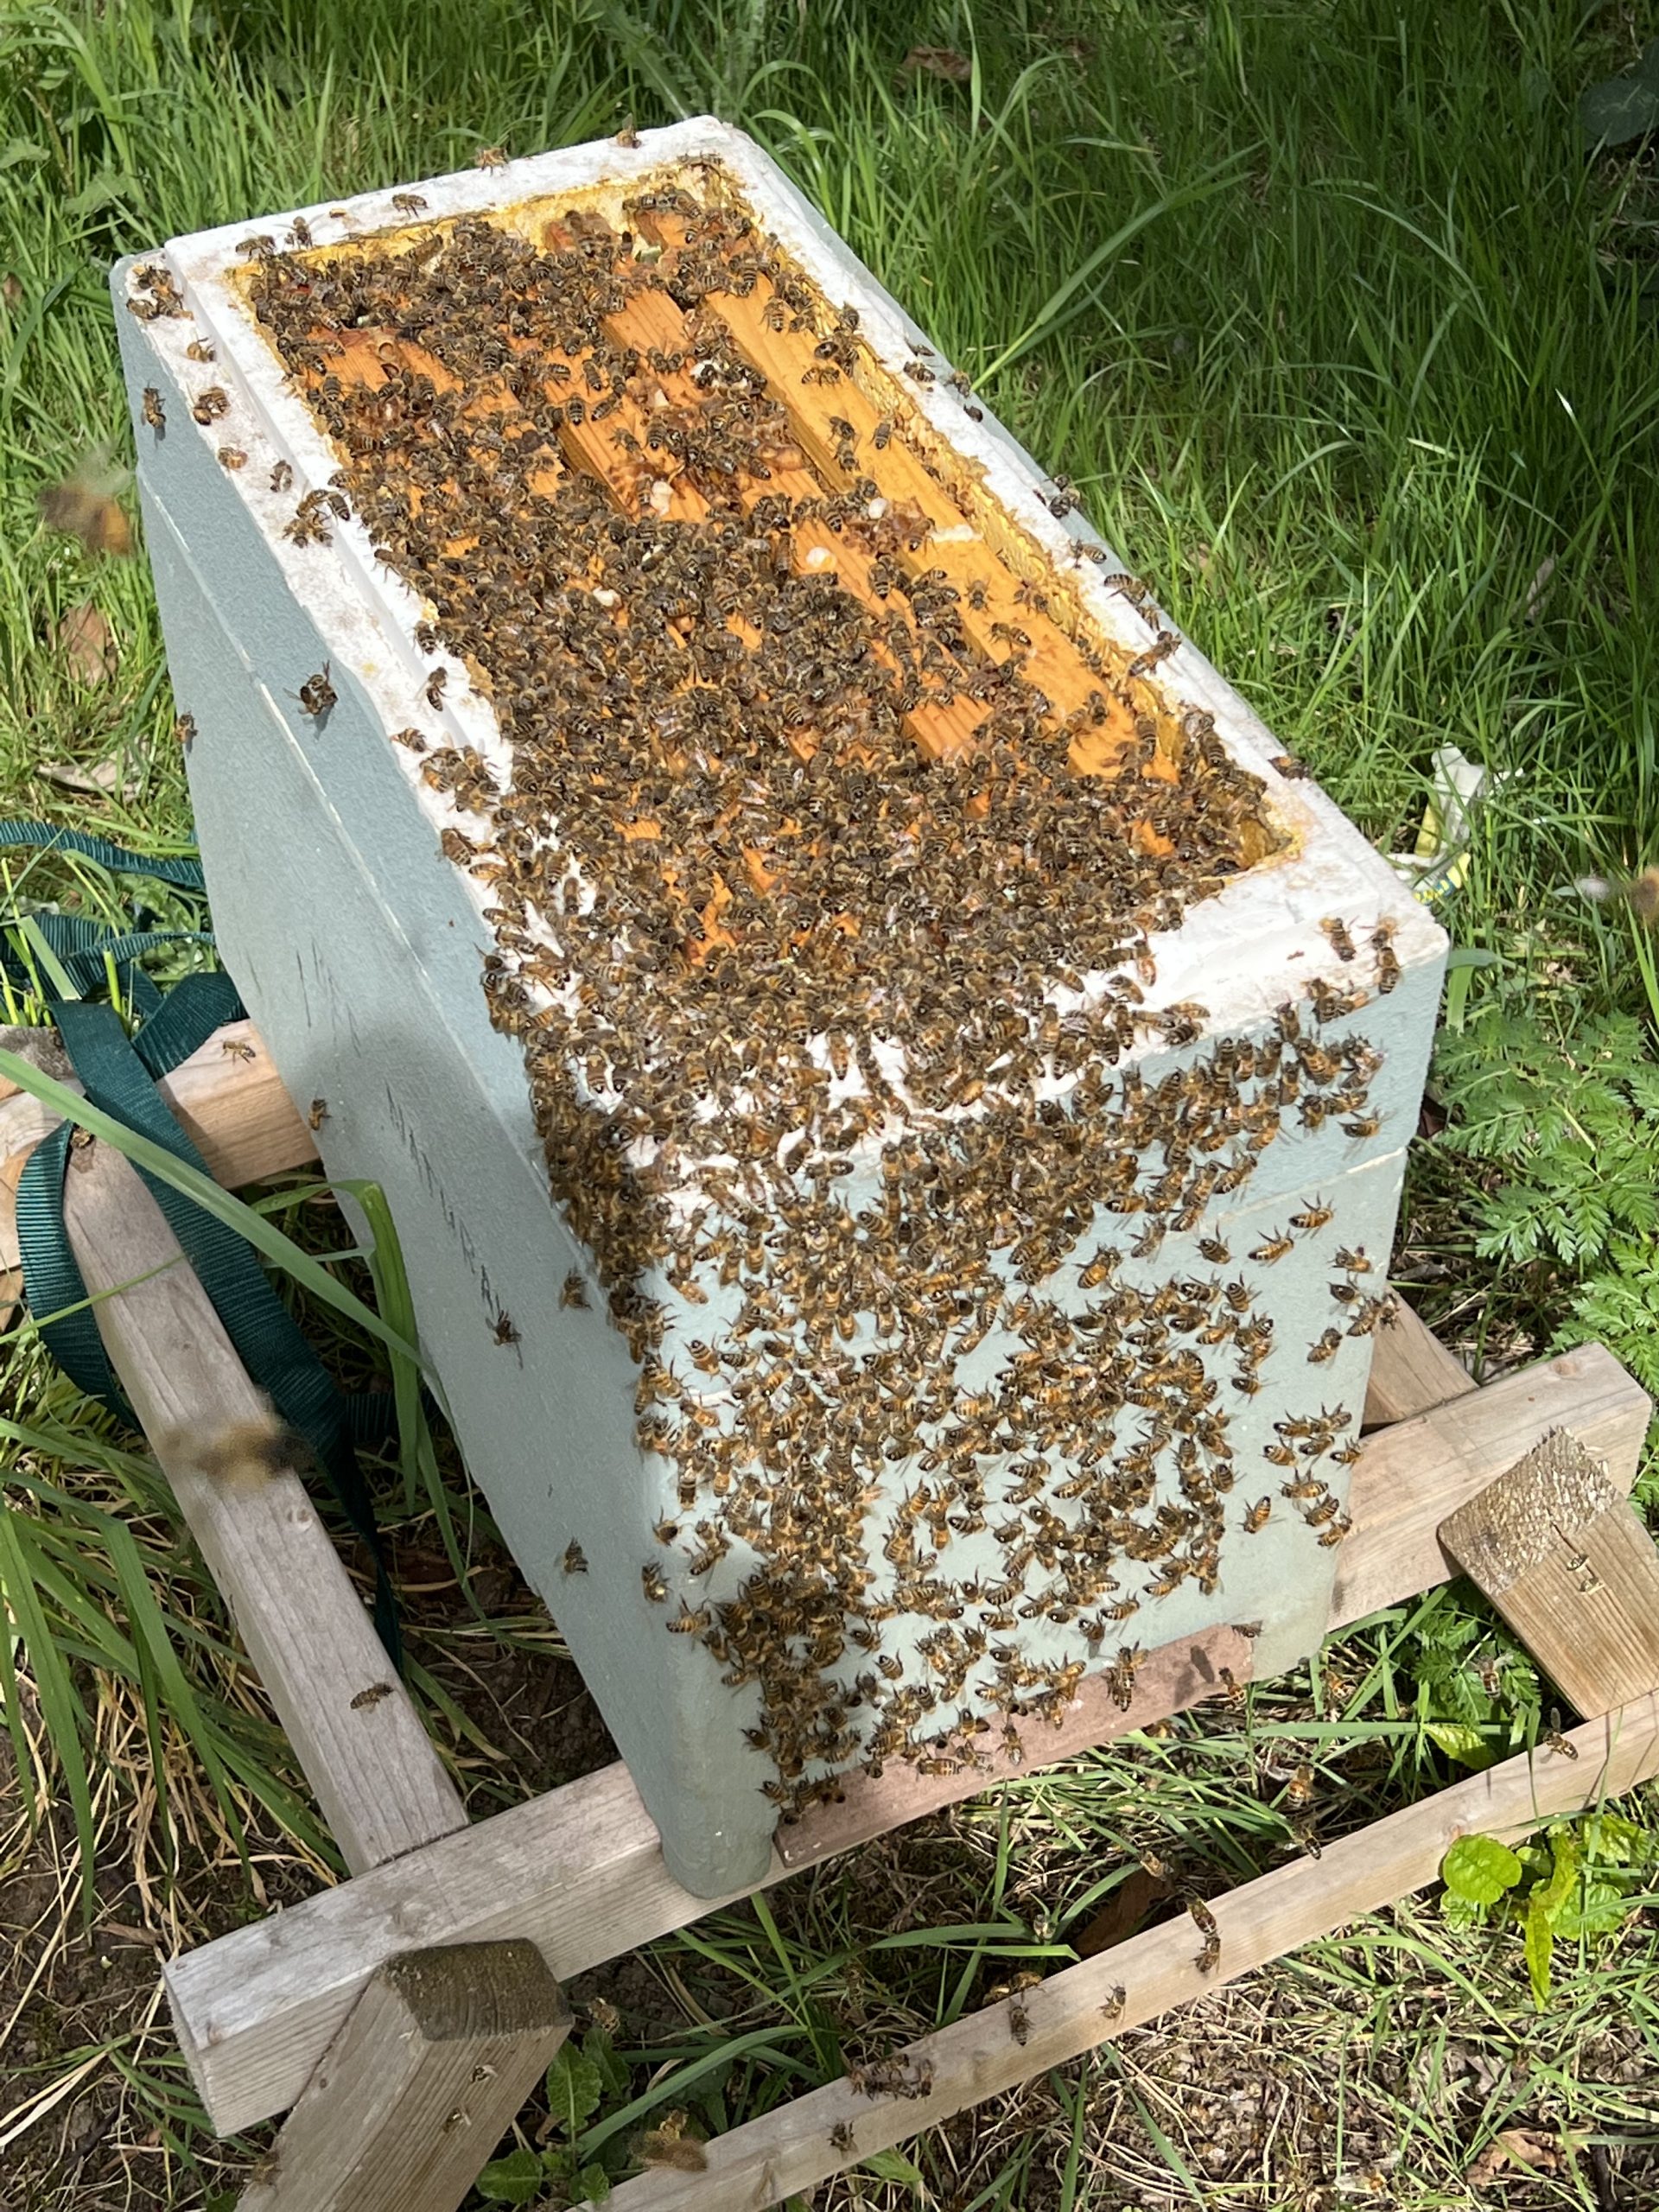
x,y
404,2016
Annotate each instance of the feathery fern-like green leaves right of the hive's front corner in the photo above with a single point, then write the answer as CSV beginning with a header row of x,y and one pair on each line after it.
x,y
1561,1129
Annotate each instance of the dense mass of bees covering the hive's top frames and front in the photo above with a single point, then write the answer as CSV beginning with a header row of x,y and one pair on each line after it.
x,y
822,890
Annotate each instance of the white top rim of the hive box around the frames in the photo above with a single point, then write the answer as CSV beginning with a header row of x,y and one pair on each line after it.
x,y
1240,954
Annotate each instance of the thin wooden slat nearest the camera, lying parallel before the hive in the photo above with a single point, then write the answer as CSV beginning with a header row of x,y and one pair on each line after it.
x,y
1083,2007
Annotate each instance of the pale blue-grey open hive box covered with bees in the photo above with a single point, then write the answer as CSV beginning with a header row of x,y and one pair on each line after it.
x,y
890,1087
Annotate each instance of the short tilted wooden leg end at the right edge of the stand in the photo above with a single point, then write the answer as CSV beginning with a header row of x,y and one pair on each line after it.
x,y
1572,1567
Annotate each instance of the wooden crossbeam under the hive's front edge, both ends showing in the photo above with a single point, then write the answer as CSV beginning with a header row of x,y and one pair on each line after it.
x,y
581,1870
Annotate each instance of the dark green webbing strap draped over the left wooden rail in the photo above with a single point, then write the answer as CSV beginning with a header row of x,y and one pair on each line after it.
x,y
118,1074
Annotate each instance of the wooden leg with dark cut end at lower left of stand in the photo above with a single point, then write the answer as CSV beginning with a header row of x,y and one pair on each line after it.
x,y
419,2087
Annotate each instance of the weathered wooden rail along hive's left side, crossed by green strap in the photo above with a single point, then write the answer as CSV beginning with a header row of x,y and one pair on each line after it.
x,y
355,1731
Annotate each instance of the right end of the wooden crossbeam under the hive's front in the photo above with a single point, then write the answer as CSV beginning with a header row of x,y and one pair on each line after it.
x,y
1419,1472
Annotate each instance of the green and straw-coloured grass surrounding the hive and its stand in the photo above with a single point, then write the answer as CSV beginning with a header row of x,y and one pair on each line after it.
x,y
1342,337
